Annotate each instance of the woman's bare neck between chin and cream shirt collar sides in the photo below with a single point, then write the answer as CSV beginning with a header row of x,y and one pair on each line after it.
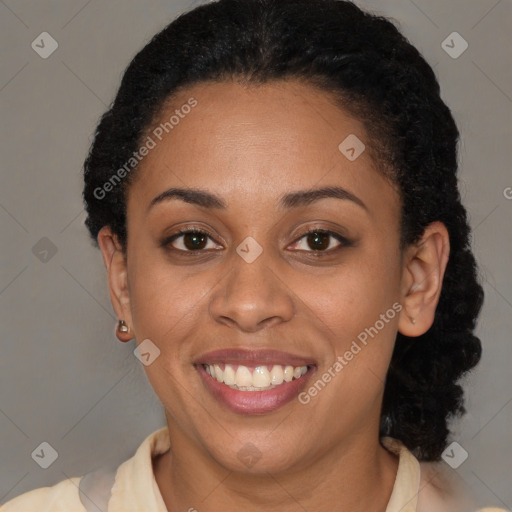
x,y
358,476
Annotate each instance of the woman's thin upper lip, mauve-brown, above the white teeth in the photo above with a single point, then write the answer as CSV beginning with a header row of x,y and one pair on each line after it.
x,y
247,357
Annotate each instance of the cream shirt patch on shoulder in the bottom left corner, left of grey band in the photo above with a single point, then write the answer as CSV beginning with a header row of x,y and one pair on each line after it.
x,y
61,497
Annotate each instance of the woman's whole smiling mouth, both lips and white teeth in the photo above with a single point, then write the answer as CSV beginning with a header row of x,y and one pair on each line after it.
x,y
254,382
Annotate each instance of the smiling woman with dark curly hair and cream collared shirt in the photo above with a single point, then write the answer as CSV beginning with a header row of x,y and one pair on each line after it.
x,y
274,193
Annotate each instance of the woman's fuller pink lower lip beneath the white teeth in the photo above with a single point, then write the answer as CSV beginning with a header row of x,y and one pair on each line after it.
x,y
254,402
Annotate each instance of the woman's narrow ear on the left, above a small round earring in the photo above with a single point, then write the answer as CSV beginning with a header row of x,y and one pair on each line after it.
x,y
115,263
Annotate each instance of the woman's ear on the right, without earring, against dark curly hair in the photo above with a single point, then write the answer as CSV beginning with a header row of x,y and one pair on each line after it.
x,y
422,279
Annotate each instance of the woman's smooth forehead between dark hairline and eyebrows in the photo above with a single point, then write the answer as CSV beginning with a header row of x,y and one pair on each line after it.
x,y
255,142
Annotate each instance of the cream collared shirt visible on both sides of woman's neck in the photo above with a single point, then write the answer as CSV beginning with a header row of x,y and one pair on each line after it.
x,y
135,488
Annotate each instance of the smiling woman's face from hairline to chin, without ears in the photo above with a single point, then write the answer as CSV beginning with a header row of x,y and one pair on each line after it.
x,y
257,286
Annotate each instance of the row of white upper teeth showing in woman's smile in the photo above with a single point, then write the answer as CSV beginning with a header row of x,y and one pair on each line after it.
x,y
256,379
